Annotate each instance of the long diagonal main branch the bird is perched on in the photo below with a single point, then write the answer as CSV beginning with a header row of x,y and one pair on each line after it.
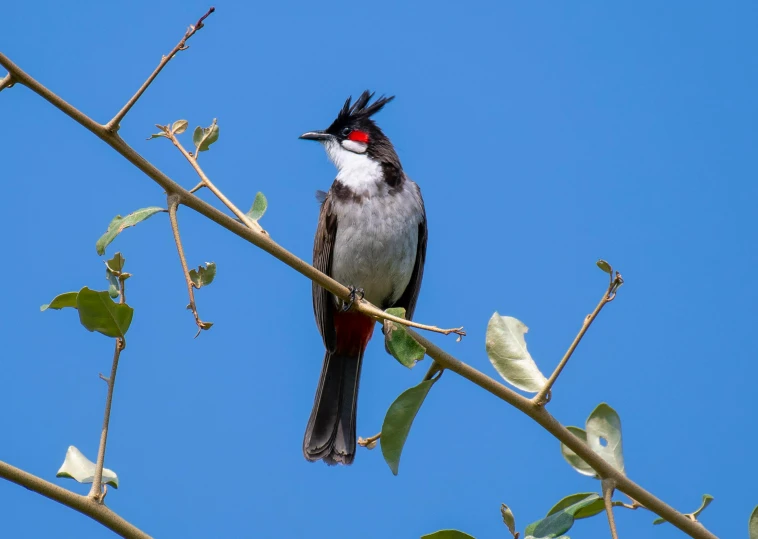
x,y
538,413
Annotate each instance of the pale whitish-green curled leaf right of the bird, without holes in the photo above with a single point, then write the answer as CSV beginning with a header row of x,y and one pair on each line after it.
x,y
507,351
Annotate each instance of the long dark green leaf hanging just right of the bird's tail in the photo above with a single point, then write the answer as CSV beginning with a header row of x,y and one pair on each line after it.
x,y
398,421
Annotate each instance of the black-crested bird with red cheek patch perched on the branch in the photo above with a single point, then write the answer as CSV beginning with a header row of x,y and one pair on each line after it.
x,y
371,237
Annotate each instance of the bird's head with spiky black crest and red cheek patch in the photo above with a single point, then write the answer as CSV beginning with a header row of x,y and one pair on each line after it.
x,y
354,133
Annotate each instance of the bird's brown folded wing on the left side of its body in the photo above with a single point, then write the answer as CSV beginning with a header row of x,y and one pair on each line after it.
x,y
323,246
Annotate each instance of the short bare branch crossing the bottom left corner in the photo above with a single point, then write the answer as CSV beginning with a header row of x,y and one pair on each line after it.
x,y
87,506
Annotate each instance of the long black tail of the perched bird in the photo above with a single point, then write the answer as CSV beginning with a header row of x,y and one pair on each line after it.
x,y
330,434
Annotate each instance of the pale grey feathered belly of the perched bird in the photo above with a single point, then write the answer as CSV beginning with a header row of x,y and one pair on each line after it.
x,y
375,249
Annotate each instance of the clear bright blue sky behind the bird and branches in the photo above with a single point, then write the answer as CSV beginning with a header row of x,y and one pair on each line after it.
x,y
543,135
